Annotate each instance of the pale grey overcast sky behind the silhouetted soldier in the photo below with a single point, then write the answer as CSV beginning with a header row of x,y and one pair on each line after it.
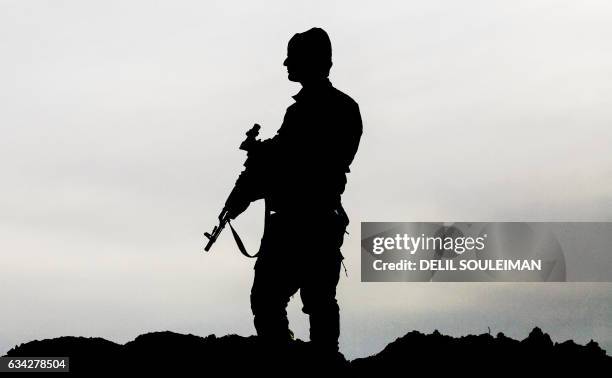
x,y
120,122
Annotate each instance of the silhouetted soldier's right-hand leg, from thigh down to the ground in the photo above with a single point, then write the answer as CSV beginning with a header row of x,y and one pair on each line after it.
x,y
318,294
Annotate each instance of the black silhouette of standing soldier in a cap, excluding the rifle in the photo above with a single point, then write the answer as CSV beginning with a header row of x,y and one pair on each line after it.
x,y
301,174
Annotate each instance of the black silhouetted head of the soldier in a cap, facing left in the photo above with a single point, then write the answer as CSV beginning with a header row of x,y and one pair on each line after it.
x,y
309,56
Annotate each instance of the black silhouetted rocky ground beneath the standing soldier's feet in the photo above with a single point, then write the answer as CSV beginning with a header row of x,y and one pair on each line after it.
x,y
169,353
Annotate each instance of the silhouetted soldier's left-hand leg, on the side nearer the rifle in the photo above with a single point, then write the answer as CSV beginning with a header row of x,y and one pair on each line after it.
x,y
270,294
